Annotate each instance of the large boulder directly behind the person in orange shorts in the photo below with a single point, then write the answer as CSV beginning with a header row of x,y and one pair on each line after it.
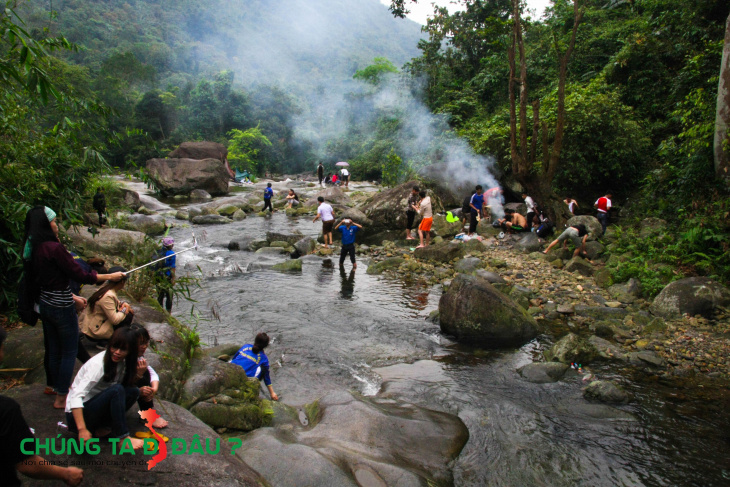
x,y
387,209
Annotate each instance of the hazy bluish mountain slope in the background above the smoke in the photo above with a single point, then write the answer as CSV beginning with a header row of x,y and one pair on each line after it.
x,y
288,42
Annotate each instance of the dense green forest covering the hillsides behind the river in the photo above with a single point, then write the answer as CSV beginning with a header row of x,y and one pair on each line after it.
x,y
596,94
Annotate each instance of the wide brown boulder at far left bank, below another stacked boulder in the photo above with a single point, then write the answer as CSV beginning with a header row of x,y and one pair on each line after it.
x,y
181,176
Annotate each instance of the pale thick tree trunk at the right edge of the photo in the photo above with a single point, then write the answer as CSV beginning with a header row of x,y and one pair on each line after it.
x,y
722,117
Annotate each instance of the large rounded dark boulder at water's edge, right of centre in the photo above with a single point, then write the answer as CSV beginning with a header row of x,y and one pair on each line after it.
x,y
476,313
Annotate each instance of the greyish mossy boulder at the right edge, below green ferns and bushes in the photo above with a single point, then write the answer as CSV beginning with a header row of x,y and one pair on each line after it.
x,y
693,296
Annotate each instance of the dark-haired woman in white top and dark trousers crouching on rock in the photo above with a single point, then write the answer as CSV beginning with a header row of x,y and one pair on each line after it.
x,y
104,390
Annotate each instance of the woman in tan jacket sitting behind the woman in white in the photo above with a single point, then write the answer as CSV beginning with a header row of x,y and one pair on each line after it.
x,y
104,312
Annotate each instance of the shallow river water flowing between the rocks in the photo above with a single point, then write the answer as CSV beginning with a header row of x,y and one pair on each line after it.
x,y
335,329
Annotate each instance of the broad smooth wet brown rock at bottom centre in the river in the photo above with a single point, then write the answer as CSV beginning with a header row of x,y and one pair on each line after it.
x,y
359,441
